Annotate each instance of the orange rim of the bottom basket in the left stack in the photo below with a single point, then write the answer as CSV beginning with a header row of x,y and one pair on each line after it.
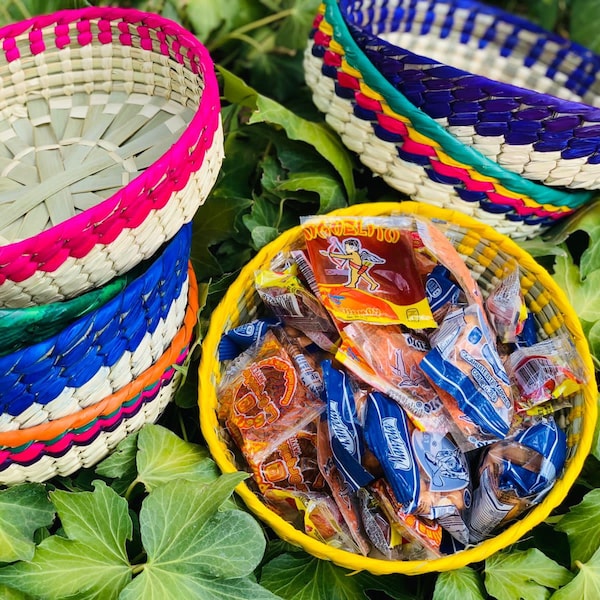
x,y
51,429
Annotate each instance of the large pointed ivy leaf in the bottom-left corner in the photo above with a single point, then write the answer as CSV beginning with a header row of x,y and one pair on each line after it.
x,y
91,562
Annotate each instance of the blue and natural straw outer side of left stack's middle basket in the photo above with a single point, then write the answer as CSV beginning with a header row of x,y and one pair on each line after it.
x,y
101,352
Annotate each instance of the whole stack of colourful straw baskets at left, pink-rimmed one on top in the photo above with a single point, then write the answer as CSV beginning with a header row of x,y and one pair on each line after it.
x,y
110,141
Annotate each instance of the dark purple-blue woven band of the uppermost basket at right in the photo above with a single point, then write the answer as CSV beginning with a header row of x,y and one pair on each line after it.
x,y
506,32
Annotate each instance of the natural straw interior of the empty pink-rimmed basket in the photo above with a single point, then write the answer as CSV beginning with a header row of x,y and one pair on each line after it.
x,y
79,122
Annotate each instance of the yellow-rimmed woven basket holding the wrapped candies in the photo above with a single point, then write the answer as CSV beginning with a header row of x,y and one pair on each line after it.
x,y
486,253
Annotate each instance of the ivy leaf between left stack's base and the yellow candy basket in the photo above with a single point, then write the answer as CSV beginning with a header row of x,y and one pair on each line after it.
x,y
163,456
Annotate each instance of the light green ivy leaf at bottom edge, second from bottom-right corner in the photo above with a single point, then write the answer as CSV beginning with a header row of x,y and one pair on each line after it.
x,y
523,574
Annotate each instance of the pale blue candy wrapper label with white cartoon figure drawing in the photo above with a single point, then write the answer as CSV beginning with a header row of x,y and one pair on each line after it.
x,y
441,460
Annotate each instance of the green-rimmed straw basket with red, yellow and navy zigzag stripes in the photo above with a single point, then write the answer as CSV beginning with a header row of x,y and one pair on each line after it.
x,y
411,151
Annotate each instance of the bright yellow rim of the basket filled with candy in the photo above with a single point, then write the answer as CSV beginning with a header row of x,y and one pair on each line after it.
x,y
207,400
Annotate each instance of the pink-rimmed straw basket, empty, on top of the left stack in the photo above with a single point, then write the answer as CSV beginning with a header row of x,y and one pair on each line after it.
x,y
110,140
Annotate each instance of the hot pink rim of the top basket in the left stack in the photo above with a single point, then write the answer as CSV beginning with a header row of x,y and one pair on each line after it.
x,y
197,136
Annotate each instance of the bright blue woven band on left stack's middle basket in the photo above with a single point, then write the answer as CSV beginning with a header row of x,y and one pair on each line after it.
x,y
39,373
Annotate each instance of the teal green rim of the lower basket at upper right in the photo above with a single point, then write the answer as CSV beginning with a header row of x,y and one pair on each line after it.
x,y
426,125
